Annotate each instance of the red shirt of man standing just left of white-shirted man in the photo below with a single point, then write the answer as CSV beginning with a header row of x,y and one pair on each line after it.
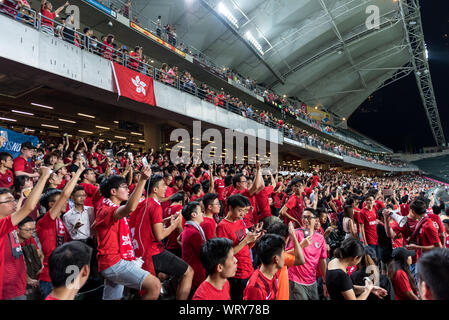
x,y
51,234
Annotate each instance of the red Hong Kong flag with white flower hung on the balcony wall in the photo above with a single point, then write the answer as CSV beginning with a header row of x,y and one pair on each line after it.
x,y
133,85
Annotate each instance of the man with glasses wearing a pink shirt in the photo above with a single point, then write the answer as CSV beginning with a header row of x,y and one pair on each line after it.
x,y
303,280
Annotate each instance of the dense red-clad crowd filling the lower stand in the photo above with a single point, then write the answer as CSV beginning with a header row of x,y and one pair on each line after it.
x,y
125,219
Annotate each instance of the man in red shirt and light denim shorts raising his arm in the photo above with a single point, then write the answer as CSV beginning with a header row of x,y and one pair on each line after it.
x,y
116,260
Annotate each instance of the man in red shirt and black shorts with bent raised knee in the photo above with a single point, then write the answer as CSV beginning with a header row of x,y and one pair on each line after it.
x,y
149,231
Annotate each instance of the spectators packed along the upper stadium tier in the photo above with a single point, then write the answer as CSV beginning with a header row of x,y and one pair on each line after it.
x,y
137,60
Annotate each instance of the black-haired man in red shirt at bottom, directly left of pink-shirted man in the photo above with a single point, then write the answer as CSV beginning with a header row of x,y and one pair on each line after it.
x,y
264,282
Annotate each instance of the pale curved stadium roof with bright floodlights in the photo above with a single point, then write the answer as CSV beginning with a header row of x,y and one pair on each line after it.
x,y
319,51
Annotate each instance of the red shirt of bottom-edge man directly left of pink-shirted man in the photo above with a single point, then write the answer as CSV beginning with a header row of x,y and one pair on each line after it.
x,y
260,287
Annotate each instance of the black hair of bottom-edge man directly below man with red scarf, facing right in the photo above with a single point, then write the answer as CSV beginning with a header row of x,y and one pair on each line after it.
x,y
214,252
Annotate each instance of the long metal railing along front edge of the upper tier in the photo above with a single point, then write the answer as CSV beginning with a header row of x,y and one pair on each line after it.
x,y
182,83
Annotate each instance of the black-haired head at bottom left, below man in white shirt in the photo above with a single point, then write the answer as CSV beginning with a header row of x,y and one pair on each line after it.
x,y
73,256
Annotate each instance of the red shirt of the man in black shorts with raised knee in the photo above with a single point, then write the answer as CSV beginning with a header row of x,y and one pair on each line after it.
x,y
147,214
